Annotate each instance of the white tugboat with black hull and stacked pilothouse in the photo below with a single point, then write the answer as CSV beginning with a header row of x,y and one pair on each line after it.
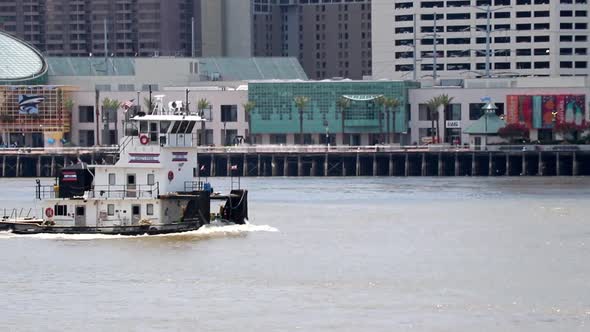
x,y
154,188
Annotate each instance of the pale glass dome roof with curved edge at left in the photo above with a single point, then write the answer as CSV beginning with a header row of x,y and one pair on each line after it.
x,y
19,60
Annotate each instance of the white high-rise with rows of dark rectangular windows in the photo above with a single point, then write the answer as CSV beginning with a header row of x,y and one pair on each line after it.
x,y
480,38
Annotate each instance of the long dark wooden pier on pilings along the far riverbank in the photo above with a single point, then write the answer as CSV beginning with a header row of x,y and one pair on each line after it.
x,y
331,161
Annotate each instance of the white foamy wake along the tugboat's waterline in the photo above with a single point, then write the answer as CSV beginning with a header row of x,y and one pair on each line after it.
x,y
211,231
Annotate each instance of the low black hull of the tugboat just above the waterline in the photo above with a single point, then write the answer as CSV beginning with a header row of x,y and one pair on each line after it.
x,y
30,229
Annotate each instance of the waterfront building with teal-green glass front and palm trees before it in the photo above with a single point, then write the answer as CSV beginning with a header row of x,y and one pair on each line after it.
x,y
360,120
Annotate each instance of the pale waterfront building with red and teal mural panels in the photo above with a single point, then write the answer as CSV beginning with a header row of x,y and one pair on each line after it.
x,y
538,103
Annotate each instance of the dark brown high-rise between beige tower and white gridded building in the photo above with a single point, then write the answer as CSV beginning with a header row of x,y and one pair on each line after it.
x,y
331,38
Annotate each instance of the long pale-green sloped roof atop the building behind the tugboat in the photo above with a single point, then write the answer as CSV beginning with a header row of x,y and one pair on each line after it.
x,y
138,74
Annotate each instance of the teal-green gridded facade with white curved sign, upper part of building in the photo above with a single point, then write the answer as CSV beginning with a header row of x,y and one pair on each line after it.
x,y
275,111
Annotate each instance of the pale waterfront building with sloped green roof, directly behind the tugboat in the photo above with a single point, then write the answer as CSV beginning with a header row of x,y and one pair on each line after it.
x,y
221,81
